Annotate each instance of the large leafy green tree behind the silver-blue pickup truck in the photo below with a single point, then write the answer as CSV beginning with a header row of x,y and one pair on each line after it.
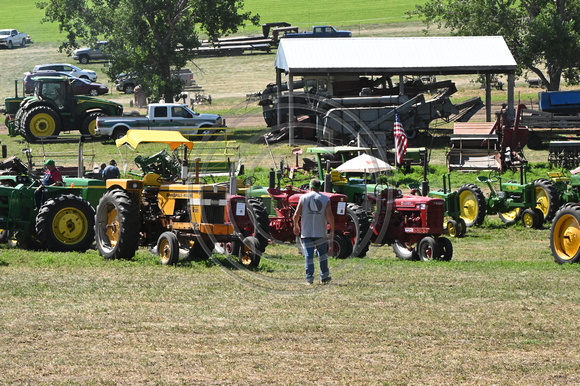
x,y
147,38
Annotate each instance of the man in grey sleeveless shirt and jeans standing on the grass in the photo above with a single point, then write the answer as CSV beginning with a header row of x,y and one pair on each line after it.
x,y
315,210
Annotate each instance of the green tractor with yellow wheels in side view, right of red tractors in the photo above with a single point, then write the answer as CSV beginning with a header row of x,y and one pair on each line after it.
x,y
511,202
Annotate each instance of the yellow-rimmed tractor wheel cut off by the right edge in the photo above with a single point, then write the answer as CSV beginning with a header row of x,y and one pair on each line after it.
x,y
565,235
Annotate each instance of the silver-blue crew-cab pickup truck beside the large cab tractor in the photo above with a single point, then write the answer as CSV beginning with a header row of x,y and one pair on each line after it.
x,y
160,116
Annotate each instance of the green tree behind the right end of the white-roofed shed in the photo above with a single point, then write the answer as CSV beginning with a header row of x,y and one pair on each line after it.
x,y
543,35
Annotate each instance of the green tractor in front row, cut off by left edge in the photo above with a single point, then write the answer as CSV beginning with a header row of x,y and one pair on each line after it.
x,y
63,223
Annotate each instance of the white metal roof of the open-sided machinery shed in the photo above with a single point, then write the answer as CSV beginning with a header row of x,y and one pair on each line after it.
x,y
408,56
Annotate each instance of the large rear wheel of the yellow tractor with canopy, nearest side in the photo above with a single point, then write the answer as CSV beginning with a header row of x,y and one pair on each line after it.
x,y
117,225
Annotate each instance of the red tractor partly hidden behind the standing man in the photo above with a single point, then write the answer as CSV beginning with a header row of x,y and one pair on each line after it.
x,y
350,221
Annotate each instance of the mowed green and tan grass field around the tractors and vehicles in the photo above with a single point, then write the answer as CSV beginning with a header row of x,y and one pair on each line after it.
x,y
501,312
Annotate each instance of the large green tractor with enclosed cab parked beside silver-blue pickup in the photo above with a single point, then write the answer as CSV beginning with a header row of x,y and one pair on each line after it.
x,y
54,108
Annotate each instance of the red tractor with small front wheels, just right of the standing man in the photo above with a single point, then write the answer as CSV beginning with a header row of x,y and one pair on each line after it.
x,y
412,225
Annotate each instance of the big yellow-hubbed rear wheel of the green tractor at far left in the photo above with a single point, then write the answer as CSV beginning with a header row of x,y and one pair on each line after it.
x,y
66,223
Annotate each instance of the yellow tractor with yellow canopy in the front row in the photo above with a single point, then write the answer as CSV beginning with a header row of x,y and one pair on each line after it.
x,y
170,215
